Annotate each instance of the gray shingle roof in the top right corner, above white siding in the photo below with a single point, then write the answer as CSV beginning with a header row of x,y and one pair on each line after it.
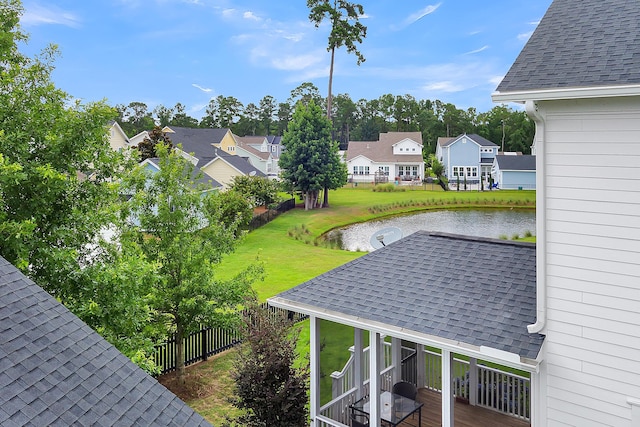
x,y
584,43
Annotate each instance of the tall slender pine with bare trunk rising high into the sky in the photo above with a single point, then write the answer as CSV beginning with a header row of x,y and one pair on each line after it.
x,y
346,30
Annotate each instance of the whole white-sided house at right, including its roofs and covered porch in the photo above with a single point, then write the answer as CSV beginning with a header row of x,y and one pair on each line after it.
x,y
577,332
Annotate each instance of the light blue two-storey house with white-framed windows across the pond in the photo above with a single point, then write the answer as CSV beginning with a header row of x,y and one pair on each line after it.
x,y
466,156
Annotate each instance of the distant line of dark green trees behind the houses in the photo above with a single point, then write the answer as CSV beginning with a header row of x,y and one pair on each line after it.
x,y
361,120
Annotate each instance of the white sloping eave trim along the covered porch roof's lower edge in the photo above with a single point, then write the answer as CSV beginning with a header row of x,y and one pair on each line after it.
x,y
480,352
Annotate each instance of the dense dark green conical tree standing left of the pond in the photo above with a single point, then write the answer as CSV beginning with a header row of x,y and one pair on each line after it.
x,y
310,158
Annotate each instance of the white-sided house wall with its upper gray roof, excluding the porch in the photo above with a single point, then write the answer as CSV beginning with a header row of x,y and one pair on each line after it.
x,y
579,79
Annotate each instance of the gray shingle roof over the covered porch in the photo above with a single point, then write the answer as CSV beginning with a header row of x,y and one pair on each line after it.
x,y
474,290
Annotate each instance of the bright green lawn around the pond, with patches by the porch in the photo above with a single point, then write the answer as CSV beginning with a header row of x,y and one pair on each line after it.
x,y
292,250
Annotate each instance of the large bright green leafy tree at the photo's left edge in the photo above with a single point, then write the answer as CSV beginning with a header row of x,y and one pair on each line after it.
x,y
58,170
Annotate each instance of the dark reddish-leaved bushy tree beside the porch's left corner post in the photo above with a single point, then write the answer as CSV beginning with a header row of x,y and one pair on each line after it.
x,y
270,389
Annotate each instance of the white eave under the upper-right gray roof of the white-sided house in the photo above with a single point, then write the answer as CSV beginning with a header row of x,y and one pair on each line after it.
x,y
566,93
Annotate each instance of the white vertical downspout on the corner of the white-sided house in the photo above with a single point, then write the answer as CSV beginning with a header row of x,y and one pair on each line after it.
x,y
541,216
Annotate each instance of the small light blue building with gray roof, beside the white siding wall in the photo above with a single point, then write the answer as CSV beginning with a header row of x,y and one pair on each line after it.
x,y
514,172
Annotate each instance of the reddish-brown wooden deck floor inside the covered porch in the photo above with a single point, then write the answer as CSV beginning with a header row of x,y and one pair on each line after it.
x,y
465,415
